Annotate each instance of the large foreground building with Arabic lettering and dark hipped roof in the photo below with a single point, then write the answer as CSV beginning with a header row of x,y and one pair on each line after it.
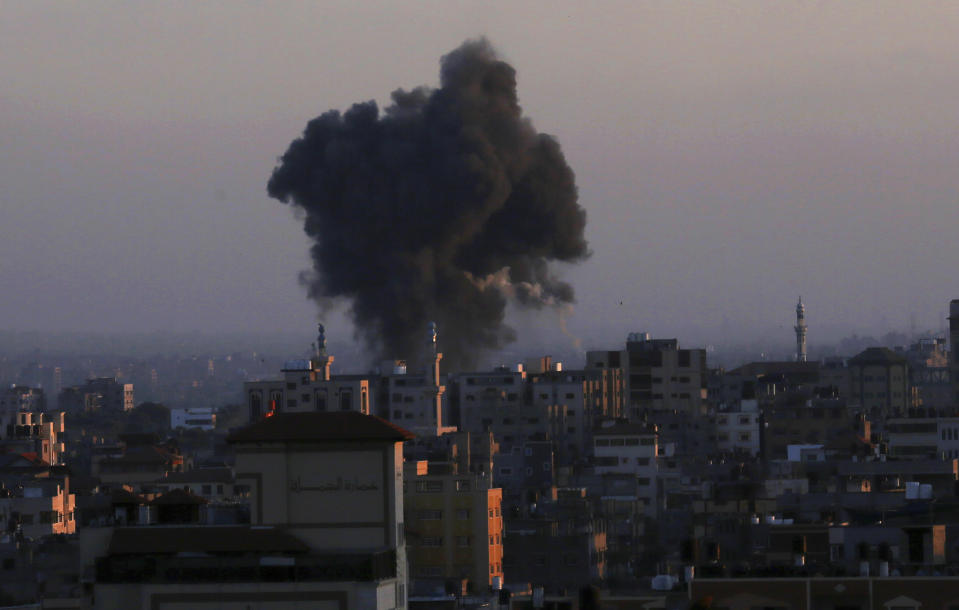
x,y
326,496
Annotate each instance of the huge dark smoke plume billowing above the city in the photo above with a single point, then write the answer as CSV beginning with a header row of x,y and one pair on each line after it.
x,y
440,209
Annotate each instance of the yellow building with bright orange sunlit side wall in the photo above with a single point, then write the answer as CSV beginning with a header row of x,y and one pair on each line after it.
x,y
454,525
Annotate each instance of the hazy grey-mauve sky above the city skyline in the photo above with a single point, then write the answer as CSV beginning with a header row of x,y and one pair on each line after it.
x,y
730,156
